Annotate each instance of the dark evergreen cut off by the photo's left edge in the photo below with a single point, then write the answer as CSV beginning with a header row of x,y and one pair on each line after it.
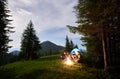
x,y
5,29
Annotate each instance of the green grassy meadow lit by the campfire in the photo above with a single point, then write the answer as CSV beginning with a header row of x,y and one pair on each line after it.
x,y
49,67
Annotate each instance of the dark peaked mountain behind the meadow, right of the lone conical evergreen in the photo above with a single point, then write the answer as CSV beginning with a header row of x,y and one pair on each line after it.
x,y
50,48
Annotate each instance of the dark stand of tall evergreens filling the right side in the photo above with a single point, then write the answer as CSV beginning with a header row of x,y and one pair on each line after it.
x,y
99,22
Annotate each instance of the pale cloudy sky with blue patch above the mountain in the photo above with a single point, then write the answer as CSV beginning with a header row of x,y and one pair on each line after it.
x,y
49,17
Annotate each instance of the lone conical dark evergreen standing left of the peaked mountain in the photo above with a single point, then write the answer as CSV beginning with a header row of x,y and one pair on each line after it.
x,y
30,44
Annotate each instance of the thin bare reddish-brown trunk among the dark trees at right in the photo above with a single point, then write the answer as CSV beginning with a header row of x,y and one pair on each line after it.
x,y
104,51
